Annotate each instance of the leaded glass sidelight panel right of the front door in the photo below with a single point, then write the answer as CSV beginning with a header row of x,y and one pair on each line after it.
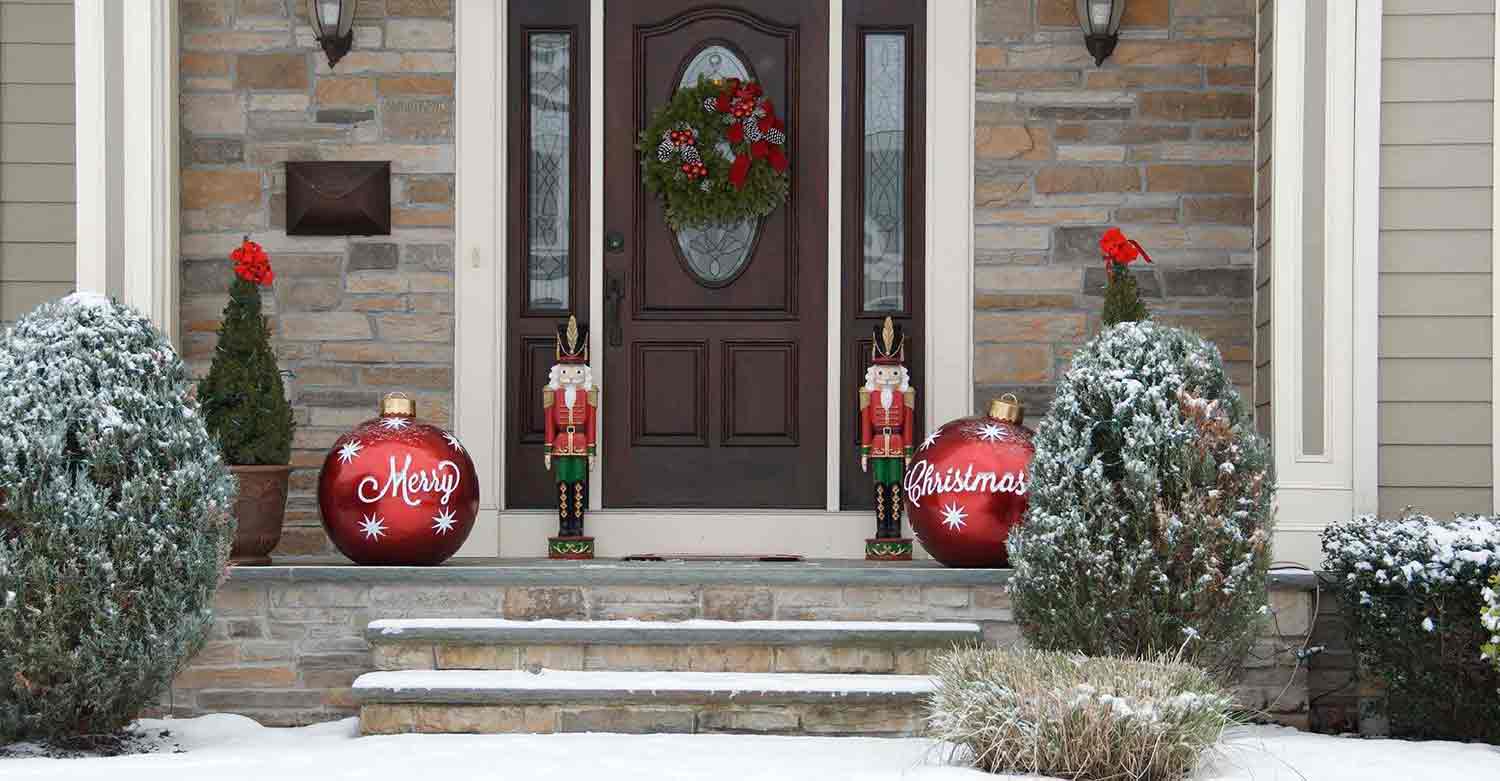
x,y
884,172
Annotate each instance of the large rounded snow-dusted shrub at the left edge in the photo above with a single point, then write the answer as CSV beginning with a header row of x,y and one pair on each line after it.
x,y
115,525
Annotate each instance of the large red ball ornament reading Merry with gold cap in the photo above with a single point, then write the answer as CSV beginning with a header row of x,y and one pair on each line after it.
x,y
398,492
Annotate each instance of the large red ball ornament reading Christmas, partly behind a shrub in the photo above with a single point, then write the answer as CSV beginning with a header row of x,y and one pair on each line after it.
x,y
967,486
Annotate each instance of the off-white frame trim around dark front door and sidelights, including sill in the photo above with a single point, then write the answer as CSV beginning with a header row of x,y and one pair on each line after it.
x,y
481,305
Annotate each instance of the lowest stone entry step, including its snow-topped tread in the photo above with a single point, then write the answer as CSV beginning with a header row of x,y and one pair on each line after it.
x,y
647,702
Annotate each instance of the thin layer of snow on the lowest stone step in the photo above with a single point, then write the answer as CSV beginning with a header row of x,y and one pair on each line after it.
x,y
608,681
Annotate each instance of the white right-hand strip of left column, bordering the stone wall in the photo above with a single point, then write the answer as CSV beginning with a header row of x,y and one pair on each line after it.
x,y
149,160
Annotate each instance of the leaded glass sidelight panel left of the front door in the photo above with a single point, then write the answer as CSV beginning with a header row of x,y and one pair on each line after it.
x,y
548,190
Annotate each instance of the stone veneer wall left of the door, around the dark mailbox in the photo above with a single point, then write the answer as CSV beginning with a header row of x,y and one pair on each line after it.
x,y
352,319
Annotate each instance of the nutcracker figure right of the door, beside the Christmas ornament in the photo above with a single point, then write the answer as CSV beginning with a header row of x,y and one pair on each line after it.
x,y
887,434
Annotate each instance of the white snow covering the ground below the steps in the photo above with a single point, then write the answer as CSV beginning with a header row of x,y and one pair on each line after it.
x,y
235,749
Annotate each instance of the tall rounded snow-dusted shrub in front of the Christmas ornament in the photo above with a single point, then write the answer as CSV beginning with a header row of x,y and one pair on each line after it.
x,y
1150,521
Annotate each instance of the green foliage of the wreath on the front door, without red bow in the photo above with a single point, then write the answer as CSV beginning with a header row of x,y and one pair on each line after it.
x,y
712,199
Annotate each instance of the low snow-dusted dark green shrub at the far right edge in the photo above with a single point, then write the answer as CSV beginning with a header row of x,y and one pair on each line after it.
x,y
1411,588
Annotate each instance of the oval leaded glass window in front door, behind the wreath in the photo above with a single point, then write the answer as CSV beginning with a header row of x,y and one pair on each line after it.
x,y
718,254
